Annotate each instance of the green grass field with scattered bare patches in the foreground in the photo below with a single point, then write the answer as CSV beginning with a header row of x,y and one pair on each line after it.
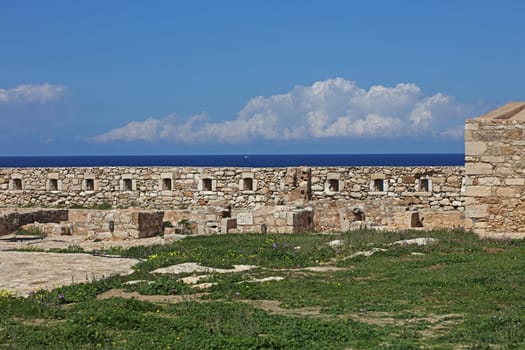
x,y
458,292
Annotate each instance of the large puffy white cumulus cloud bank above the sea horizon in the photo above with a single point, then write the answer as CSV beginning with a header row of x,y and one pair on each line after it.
x,y
326,109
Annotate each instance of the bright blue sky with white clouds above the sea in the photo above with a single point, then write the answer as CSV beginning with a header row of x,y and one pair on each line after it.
x,y
246,77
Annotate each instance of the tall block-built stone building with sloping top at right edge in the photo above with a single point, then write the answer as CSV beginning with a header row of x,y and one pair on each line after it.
x,y
495,172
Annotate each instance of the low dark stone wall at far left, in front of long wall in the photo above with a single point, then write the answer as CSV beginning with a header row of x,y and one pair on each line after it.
x,y
10,221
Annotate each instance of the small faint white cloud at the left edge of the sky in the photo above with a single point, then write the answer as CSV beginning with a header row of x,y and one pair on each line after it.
x,y
31,93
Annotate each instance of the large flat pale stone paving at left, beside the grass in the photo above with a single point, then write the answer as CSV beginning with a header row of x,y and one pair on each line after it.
x,y
26,272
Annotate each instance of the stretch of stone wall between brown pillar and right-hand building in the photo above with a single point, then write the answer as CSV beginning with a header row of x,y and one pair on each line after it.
x,y
387,196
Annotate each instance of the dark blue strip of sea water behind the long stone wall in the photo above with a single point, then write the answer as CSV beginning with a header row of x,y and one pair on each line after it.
x,y
270,160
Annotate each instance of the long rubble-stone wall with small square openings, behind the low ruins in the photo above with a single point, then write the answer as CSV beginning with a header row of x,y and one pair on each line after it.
x,y
172,187
